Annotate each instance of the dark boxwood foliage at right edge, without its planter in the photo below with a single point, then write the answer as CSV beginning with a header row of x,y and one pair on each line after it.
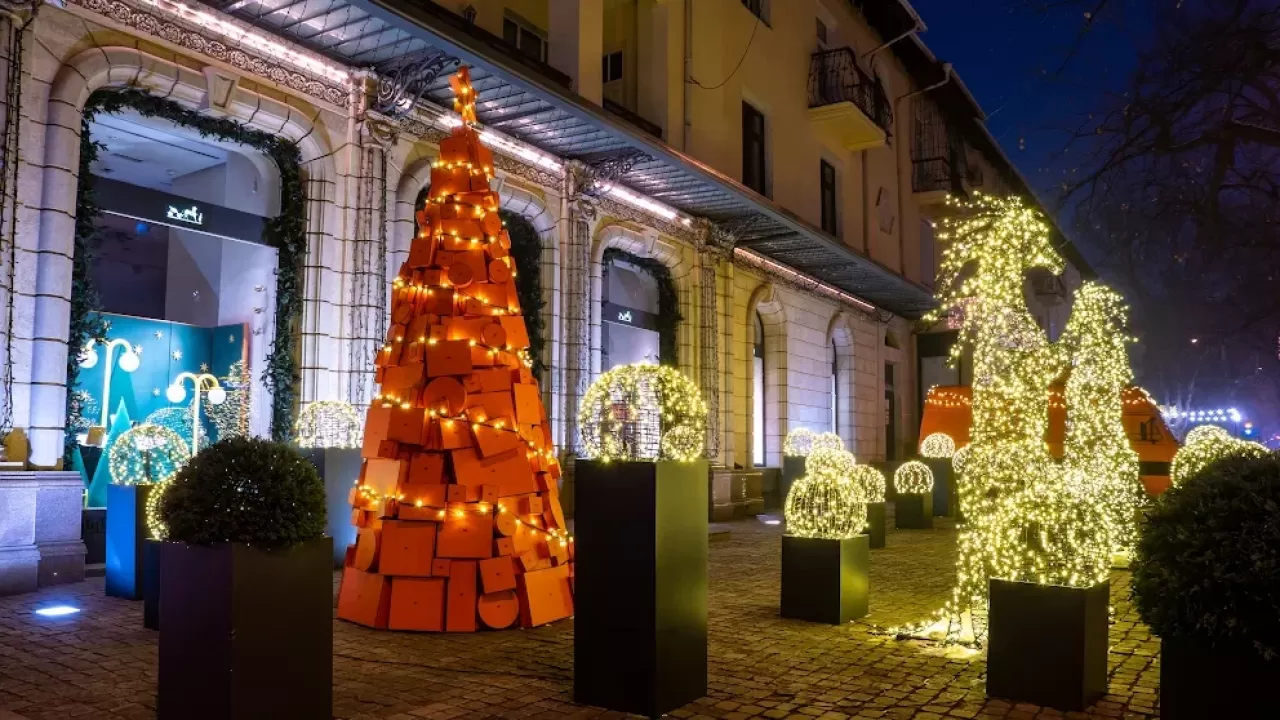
x,y
1208,566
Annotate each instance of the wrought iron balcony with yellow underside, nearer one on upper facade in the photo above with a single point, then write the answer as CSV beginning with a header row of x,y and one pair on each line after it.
x,y
848,102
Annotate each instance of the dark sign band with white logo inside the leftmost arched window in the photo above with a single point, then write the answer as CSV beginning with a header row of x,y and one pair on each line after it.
x,y
177,212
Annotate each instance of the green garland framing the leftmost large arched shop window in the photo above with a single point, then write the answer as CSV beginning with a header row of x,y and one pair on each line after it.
x,y
285,233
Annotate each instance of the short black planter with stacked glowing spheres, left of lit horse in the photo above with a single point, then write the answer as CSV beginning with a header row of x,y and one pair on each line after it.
x,y
826,558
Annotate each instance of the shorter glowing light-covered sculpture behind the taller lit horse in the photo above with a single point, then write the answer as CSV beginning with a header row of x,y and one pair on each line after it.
x,y
1098,452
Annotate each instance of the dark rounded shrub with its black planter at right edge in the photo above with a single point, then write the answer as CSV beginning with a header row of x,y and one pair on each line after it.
x,y
1206,578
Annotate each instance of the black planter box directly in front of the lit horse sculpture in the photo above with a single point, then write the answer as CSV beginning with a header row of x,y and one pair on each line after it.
x,y
1048,645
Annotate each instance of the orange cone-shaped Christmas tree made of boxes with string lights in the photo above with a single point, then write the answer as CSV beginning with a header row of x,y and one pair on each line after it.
x,y
458,512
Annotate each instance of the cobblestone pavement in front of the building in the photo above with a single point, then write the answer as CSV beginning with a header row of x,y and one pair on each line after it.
x,y
102,664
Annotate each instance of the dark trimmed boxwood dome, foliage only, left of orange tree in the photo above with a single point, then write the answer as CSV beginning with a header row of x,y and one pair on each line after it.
x,y
245,490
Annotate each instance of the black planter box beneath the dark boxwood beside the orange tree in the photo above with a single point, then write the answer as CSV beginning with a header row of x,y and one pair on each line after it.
x,y
246,635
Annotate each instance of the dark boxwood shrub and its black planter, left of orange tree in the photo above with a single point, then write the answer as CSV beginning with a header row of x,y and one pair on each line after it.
x,y
246,600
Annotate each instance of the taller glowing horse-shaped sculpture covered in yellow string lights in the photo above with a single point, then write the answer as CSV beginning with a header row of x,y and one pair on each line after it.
x,y
1023,523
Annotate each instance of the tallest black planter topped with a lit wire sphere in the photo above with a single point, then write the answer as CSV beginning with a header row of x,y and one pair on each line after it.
x,y
641,564
